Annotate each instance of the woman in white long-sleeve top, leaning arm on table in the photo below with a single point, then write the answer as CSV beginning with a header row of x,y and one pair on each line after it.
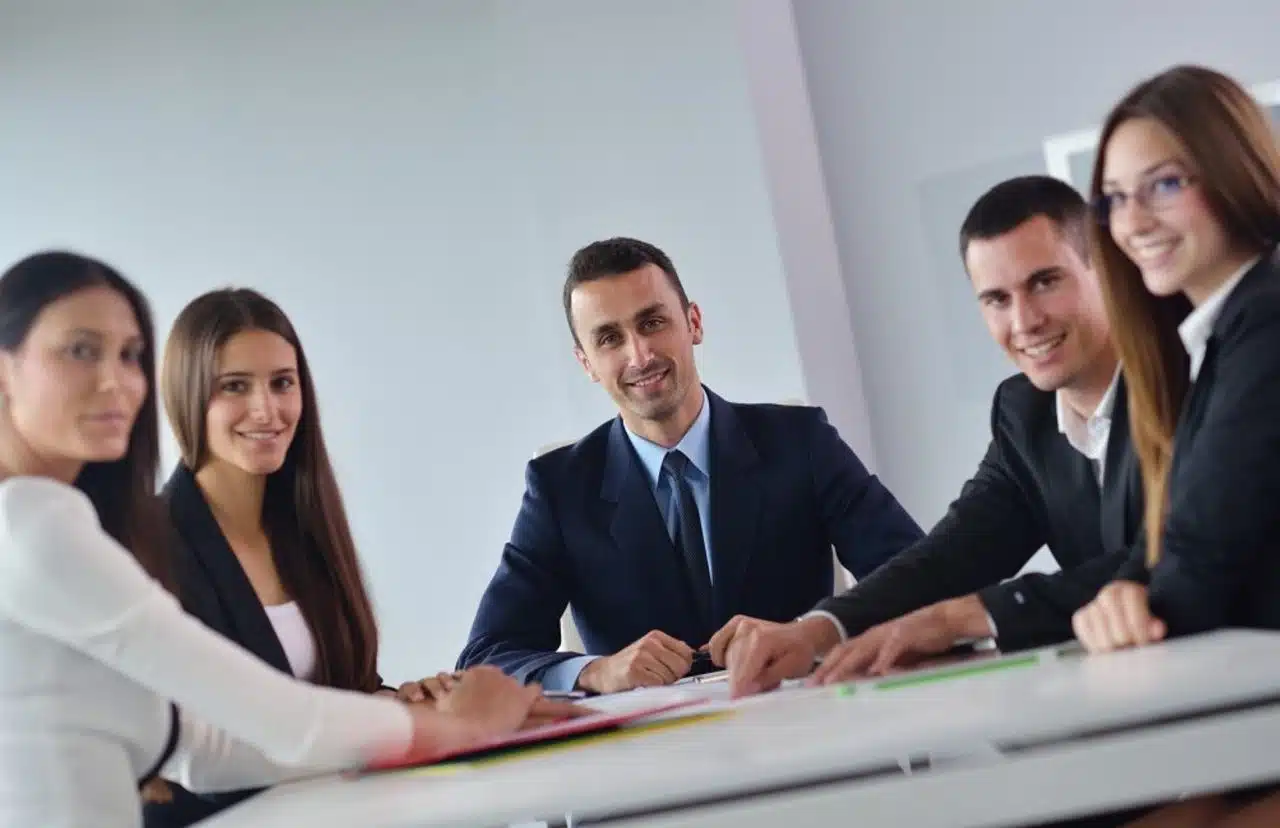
x,y
104,681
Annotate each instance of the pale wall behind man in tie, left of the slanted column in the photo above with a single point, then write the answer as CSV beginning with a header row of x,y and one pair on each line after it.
x,y
409,181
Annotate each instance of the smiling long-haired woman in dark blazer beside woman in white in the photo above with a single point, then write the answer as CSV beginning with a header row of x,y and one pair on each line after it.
x,y
267,556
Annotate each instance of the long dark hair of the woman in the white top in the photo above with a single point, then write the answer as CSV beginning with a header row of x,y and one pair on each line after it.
x,y
124,492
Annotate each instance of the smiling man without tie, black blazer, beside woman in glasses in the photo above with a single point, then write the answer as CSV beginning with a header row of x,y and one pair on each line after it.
x,y
1059,473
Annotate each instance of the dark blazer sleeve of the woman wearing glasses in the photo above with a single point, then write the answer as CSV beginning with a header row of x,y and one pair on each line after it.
x,y
1223,497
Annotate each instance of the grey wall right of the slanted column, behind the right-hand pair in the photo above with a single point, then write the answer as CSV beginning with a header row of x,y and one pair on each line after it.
x,y
921,106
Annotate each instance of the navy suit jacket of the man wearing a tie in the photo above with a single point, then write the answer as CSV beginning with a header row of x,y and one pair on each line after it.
x,y
785,490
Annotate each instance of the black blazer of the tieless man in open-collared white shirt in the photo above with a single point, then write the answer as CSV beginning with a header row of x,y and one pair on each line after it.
x,y
1032,490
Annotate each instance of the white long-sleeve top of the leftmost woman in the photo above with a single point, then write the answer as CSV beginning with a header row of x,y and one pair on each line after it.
x,y
93,651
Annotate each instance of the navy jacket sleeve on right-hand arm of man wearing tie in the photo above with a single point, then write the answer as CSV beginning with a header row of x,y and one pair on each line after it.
x,y
865,521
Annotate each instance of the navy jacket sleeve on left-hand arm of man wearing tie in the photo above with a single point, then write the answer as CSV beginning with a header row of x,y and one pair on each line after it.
x,y
516,628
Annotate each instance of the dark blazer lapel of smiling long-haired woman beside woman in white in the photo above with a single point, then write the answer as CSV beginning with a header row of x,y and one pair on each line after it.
x,y
249,624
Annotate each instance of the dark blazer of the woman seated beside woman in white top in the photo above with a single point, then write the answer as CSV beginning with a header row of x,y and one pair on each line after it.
x,y
213,588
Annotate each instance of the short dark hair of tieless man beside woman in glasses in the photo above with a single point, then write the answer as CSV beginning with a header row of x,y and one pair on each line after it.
x,y
1012,203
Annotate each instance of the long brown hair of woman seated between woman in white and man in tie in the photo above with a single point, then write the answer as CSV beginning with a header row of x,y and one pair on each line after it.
x,y
303,511
